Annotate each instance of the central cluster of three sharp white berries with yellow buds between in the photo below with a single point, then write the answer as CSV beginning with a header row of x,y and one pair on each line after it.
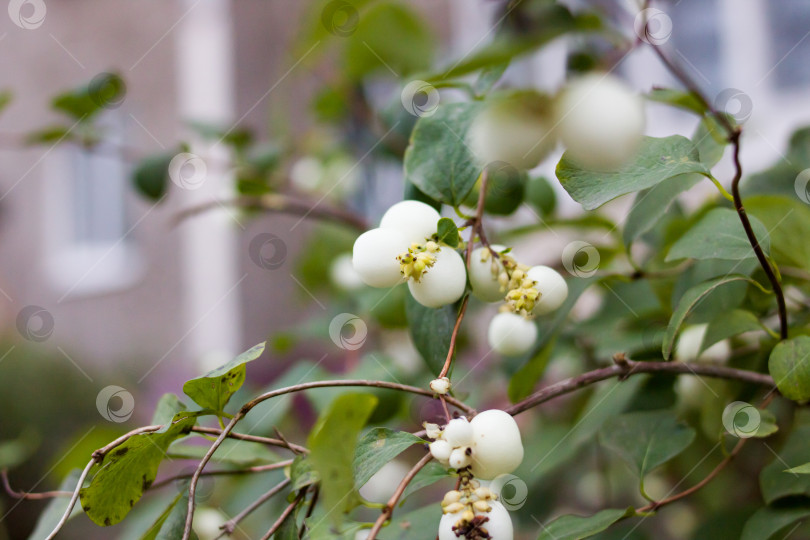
x,y
403,248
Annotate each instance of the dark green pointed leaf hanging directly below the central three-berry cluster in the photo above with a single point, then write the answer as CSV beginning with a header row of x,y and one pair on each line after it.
x,y
431,330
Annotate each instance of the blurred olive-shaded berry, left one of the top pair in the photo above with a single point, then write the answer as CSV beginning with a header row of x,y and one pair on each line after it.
x,y
515,129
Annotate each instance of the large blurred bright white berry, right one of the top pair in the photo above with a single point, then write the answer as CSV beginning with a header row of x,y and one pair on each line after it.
x,y
600,121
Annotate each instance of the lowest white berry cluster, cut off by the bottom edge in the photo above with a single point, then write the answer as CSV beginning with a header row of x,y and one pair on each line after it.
x,y
481,449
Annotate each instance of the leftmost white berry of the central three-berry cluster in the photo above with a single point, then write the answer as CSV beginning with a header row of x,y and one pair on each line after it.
x,y
374,257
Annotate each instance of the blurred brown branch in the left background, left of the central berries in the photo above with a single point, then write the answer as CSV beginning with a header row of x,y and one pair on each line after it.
x,y
283,204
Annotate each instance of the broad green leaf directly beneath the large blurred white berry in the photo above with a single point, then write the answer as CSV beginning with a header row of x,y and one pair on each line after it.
x,y
657,160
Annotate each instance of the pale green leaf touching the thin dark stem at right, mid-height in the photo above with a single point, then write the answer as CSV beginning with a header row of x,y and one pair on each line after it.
x,y
719,235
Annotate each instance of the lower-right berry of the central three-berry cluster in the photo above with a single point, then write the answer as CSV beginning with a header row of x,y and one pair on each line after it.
x,y
443,283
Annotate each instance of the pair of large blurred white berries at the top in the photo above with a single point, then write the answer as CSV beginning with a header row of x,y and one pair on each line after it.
x,y
597,117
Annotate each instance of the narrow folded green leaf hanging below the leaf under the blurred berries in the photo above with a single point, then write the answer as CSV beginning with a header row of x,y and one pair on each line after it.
x,y
651,205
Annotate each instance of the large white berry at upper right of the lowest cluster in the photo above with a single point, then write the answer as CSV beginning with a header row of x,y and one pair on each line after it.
x,y
497,448
